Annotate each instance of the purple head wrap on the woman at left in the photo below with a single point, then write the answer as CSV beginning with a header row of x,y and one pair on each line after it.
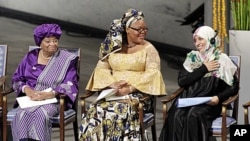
x,y
46,30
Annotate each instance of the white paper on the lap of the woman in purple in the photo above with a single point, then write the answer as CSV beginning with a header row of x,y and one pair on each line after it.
x,y
25,101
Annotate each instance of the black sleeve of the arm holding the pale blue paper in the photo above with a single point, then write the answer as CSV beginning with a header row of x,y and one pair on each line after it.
x,y
229,90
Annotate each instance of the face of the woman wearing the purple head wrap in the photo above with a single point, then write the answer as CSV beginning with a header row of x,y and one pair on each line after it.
x,y
49,44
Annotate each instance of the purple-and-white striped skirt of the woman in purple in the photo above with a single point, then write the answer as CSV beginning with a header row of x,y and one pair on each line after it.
x,y
34,123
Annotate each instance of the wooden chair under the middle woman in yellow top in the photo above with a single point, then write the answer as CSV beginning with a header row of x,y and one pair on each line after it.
x,y
146,119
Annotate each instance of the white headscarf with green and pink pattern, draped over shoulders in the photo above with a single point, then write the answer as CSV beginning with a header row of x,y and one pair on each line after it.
x,y
195,58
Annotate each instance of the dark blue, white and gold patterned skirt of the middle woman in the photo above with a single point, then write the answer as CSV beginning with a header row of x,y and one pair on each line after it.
x,y
111,121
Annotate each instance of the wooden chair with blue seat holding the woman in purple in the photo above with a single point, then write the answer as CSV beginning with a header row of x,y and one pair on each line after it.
x,y
59,121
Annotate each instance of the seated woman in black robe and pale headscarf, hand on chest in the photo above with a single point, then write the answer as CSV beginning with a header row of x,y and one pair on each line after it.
x,y
206,72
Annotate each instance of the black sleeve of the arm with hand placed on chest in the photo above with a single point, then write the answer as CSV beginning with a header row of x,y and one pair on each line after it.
x,y
186,78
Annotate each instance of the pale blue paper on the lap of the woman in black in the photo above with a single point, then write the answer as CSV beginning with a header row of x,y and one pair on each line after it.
x,y
185,102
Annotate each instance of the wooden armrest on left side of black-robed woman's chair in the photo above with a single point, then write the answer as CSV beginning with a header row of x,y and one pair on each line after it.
x,y
168,99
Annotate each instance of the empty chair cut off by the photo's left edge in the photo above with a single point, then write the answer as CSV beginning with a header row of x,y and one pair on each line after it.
x,y
3,60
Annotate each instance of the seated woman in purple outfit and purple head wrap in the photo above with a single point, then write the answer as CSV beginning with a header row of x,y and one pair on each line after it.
x,y
40,69
